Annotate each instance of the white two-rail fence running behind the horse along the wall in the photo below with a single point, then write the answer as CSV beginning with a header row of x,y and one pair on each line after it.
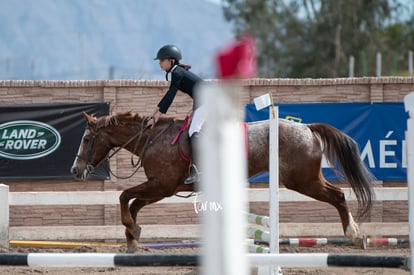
x,y
171,231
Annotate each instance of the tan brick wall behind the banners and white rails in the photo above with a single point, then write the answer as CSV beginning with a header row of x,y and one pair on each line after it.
x,y
143,96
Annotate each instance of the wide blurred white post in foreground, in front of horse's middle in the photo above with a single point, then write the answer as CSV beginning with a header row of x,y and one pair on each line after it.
x,y
224,182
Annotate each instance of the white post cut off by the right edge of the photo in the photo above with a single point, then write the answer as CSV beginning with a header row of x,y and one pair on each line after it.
x,y
409,137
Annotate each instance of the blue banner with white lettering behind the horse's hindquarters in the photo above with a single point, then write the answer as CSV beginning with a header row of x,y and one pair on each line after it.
x,y
378,128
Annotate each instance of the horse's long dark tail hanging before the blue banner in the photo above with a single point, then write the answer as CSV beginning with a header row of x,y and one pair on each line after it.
x,y
341,150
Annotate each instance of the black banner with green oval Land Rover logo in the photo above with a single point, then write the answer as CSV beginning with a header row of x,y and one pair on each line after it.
x,y
40,141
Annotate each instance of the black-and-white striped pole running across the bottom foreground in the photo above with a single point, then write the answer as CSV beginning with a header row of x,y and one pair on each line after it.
x,y
112,260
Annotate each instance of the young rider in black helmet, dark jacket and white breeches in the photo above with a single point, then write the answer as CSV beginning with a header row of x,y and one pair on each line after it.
x,y
182,79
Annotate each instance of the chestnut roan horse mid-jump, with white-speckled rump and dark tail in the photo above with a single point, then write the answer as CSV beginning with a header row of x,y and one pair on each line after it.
x,y
301,147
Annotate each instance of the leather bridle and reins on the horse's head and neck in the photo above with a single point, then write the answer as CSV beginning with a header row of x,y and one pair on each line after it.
x,y
138,136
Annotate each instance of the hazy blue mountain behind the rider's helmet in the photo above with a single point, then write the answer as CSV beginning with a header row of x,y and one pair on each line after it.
x,y
105,39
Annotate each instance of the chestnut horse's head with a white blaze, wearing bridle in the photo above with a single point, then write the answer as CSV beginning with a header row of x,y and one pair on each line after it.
x,y
93,149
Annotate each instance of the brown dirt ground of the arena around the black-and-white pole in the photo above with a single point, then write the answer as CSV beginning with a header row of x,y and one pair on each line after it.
x,y
396,251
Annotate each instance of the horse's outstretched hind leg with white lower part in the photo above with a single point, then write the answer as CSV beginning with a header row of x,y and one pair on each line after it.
x,y
326,192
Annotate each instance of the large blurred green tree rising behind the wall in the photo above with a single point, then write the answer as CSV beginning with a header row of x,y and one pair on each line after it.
x,y
314,38
